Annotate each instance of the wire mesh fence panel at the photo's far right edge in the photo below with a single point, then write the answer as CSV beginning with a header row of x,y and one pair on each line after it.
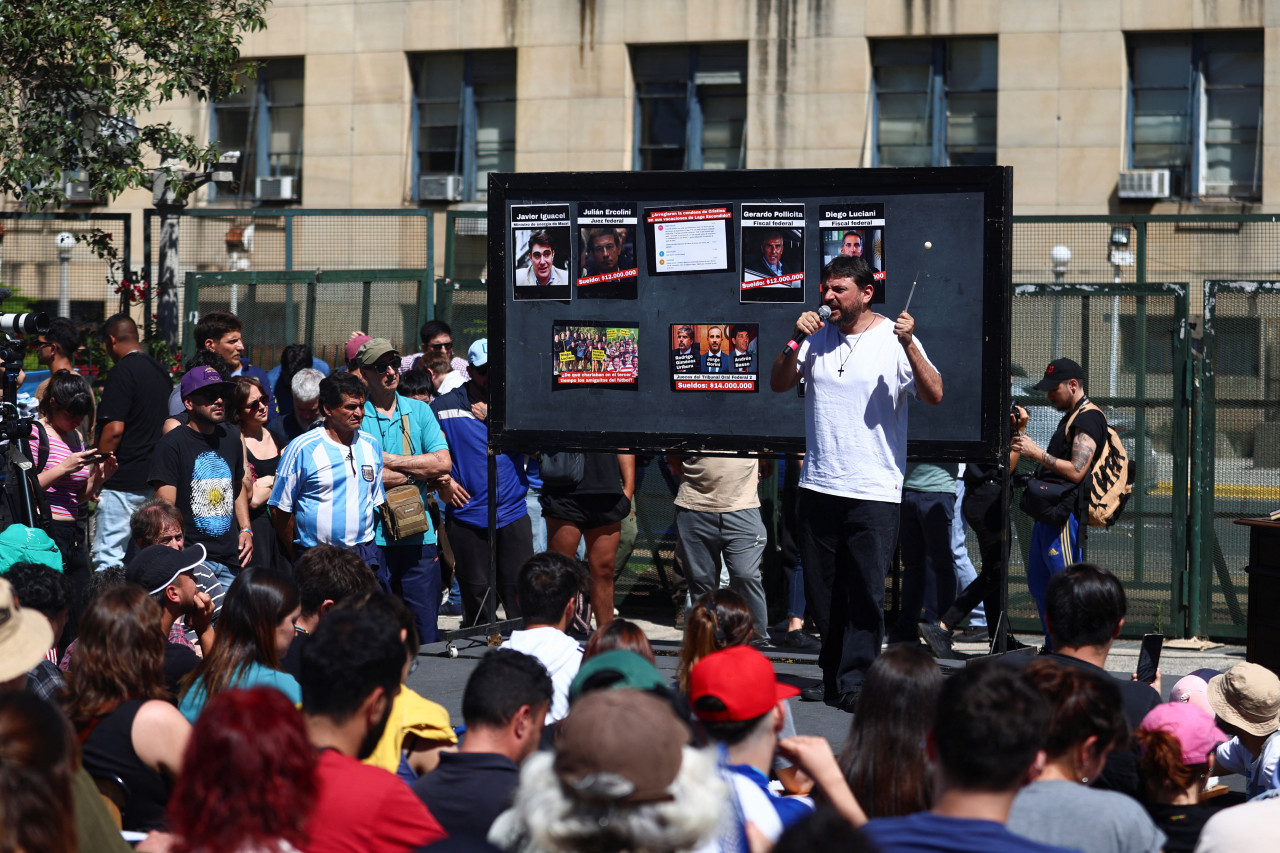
x,y
1242,441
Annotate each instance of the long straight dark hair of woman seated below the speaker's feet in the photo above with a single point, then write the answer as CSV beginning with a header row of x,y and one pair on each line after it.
x,y
883,759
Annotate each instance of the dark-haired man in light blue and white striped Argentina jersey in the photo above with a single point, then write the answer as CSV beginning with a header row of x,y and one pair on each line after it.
x,y
330,482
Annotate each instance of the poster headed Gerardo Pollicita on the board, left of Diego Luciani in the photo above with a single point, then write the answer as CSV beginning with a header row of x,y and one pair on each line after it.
x,y
772,253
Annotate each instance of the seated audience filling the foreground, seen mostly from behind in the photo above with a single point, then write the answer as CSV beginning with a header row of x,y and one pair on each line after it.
x,y
289,727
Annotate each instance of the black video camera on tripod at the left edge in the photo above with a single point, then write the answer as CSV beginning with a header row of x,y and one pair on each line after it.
x,y
17,464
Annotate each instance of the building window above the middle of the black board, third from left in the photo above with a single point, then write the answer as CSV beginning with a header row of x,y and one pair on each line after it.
x,y
691,107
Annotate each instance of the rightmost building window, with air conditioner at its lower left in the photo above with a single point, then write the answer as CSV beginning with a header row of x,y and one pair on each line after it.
x,y
1196,110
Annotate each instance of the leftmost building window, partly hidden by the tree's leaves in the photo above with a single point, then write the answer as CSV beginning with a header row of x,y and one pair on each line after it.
x,y
264,124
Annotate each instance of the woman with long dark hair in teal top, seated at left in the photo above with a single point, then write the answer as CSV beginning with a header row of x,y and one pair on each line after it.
x,y
254,633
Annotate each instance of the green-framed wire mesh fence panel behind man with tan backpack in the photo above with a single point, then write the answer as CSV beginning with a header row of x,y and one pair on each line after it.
x,y
1131,341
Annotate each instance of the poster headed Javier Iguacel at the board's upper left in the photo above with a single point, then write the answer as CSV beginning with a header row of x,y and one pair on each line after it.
x,y
542,245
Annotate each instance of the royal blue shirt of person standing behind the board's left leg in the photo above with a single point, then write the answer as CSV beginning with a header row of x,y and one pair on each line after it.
x,y
469,448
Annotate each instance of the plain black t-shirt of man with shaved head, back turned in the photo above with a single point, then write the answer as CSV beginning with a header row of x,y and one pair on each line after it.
x,y
138,394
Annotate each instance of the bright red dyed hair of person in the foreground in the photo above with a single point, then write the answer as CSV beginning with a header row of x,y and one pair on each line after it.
x,y
248,778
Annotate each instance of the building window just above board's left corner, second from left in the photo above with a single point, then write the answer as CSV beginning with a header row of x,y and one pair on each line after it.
x,y
465,117
